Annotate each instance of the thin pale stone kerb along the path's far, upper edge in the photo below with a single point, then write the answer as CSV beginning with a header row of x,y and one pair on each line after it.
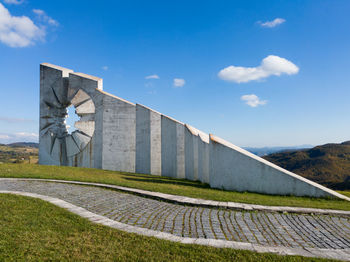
x,y
200,202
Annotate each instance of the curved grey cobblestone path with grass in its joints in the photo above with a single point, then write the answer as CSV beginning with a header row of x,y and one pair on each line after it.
x,y
270,229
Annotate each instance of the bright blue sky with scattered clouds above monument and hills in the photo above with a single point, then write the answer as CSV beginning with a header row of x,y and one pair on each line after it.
x,y
256,73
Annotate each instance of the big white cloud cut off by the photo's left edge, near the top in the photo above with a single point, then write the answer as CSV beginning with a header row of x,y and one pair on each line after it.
x,y
18,31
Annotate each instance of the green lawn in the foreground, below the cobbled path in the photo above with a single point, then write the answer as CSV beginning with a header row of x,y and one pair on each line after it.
x,y
34,230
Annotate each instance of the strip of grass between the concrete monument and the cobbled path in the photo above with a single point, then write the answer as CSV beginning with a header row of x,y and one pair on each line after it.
x,y
165,185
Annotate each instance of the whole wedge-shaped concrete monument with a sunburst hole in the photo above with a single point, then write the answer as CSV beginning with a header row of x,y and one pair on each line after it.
x,y
115,134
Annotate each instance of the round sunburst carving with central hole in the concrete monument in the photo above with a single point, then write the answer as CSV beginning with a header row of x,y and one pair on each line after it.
x,y
68,127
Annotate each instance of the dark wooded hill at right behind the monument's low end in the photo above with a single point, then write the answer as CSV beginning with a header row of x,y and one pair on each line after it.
x,y
328,164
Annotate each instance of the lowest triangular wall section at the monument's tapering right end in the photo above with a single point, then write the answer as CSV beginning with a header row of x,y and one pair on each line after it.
x,y
233,168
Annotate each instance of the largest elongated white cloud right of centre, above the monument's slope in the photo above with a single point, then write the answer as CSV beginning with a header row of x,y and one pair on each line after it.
x,y
271,65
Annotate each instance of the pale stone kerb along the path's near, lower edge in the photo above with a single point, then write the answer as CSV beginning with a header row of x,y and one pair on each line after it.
x,y
342,254
